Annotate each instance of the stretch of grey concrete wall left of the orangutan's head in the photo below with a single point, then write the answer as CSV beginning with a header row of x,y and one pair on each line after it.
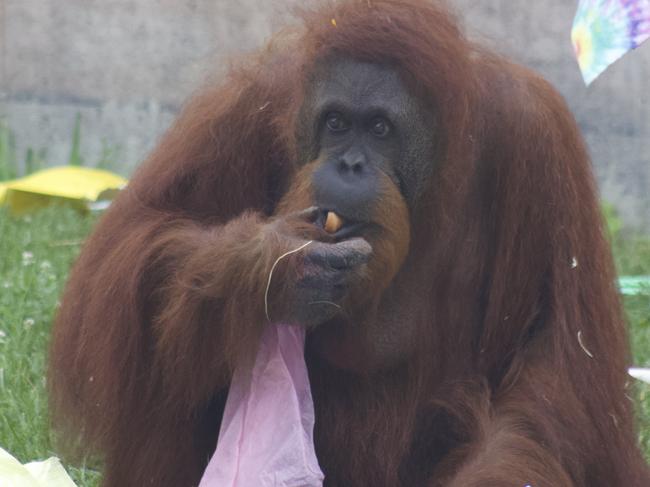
x,y
124,65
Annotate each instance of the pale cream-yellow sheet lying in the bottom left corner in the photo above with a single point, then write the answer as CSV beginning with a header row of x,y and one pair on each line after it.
x,y
48,473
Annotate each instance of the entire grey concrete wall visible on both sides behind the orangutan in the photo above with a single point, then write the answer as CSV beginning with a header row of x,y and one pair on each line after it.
x,y
127,65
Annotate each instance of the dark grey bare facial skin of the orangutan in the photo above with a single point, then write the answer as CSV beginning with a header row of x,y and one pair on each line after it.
x,y
365,122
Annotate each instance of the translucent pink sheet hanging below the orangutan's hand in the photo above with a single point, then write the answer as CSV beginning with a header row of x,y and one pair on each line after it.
x,y
266,435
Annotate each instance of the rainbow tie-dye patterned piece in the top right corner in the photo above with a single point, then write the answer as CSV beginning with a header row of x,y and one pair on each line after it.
x,y
604,30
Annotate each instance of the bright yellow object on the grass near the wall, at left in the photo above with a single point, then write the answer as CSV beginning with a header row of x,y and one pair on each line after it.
x,y
81,187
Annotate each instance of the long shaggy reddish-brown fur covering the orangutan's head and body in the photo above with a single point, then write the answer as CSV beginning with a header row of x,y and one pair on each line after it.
x,y
499,391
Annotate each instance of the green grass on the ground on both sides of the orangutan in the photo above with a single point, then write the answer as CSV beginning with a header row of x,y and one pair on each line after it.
x,y
35,255
